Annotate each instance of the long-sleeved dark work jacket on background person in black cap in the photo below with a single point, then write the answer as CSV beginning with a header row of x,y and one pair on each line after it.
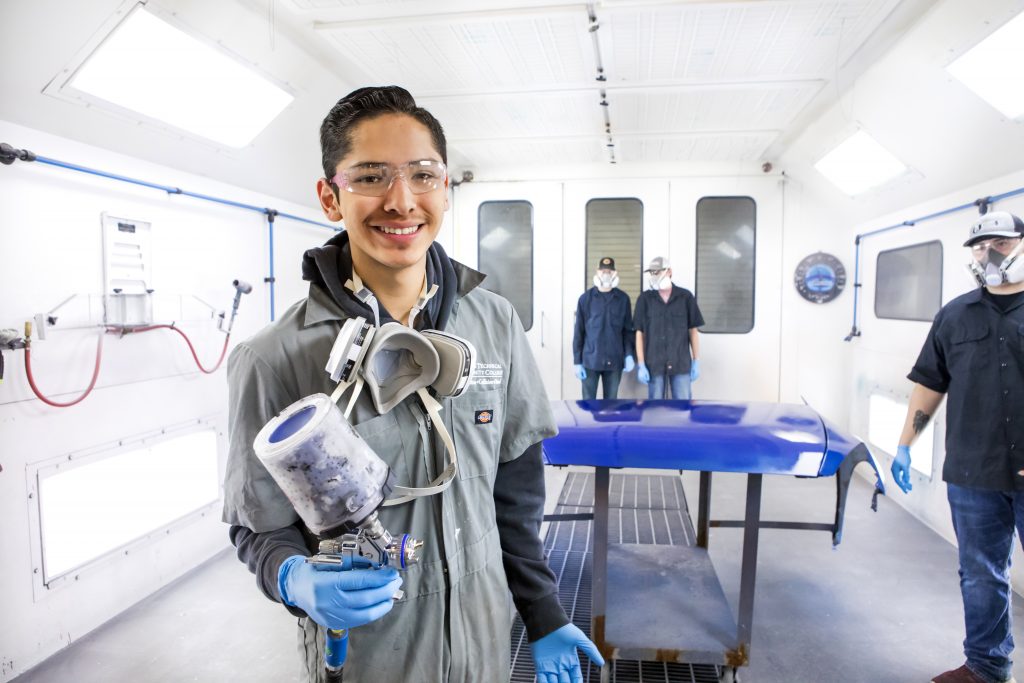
x,y
604,335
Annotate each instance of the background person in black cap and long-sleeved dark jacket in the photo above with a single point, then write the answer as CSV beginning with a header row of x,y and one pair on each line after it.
x,y
603,343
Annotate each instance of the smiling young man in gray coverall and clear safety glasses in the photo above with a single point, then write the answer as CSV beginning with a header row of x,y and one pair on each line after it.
x,y
385,176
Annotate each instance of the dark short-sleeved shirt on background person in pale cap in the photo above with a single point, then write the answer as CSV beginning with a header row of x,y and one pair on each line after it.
x,y
666,328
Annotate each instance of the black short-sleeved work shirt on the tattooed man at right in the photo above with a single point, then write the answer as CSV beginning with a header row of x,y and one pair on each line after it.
x,y
975,355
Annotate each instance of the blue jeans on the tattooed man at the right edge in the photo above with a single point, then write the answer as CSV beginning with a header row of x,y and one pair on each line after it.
x,y
985,523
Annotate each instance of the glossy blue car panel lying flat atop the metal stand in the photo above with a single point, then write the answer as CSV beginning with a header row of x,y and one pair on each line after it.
x,y
767,439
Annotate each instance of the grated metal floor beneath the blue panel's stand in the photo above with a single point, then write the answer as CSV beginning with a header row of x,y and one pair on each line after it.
x,y
650,509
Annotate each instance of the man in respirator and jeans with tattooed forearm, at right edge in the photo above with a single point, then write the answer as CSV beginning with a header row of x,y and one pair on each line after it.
x,y
975,354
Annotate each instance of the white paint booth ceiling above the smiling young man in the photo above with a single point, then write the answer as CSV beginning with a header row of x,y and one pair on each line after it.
x,y
517,83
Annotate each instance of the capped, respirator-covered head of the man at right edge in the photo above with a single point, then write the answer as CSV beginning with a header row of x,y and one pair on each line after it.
x,y
997,250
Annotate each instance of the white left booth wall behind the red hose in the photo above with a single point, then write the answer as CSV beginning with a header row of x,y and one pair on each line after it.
x,y
50,223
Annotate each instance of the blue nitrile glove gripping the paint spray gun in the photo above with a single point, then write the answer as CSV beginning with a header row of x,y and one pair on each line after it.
x,y
337,600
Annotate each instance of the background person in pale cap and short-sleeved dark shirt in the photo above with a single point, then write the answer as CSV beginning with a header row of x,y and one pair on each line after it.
x,y
668,344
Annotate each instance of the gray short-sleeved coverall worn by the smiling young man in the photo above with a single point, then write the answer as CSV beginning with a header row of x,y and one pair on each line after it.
x,y
453,623
